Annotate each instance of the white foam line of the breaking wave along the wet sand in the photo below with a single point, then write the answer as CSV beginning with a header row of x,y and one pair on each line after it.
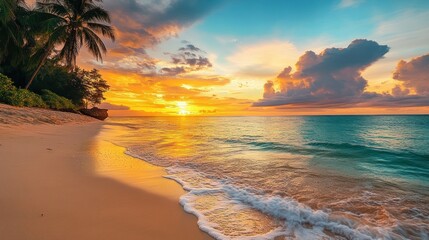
x,y
287,209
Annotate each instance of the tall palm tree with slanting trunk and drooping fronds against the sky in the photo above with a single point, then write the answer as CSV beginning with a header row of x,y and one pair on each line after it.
x,y
71,24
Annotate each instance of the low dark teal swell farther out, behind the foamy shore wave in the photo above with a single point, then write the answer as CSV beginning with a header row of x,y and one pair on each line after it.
x,y
401,162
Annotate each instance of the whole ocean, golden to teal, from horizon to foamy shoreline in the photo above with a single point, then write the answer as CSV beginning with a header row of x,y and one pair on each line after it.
x,y
303,177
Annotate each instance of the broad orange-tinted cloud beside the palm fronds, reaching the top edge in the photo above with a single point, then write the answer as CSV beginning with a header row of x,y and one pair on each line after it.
x,y
142,24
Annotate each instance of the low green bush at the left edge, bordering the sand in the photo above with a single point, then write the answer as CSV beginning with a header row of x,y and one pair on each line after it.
x,y
18,97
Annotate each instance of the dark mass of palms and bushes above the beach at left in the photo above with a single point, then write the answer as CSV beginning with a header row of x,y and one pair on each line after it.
x,y
38,51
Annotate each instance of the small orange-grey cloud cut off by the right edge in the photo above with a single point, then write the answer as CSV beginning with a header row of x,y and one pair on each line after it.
x,y
414,74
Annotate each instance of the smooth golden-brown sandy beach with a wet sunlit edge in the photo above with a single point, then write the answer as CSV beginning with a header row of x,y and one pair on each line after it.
x,y
61,179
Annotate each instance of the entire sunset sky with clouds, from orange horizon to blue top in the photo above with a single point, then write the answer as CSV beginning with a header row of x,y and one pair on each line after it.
x,y
266,57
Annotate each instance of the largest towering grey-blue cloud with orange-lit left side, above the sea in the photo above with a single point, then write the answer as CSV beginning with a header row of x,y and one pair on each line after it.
x,y
330,76
